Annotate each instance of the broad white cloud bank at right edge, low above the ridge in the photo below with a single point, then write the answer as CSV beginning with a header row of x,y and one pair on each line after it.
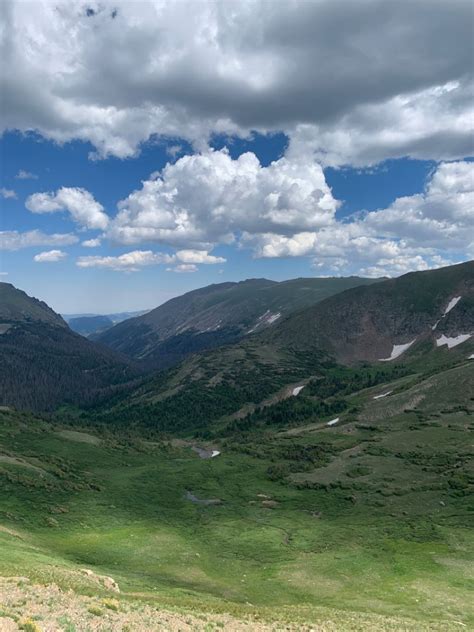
x,y
417,232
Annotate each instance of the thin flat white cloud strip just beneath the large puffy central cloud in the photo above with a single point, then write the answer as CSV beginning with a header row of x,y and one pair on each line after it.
x,y
133,261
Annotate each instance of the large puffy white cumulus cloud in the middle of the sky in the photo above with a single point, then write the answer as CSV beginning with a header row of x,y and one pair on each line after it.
x,y
210,198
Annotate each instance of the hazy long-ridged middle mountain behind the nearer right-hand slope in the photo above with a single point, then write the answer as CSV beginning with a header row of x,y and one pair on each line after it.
x,y
216,315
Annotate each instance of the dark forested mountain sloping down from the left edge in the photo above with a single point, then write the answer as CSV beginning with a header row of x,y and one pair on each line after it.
x,y
45,364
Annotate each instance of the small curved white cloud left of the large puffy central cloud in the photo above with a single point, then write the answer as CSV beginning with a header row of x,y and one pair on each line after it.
x,y
81,205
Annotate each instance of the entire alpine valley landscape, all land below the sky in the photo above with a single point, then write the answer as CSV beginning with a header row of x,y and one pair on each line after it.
x,y
253,455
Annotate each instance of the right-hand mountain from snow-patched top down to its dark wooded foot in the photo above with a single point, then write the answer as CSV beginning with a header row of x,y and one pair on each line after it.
x,y
421,321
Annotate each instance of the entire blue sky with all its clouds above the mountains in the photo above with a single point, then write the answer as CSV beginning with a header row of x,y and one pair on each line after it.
x,y
150,148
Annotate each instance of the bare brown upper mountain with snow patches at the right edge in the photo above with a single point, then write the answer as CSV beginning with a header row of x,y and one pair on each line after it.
x,y
378,322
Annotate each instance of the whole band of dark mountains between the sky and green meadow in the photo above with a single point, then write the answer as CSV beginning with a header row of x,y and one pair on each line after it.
x,y
240,342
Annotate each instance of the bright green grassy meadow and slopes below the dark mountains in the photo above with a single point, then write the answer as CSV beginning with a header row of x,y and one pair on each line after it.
x,y
319,525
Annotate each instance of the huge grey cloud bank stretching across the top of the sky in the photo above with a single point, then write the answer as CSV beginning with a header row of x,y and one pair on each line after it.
x,y
363,81
